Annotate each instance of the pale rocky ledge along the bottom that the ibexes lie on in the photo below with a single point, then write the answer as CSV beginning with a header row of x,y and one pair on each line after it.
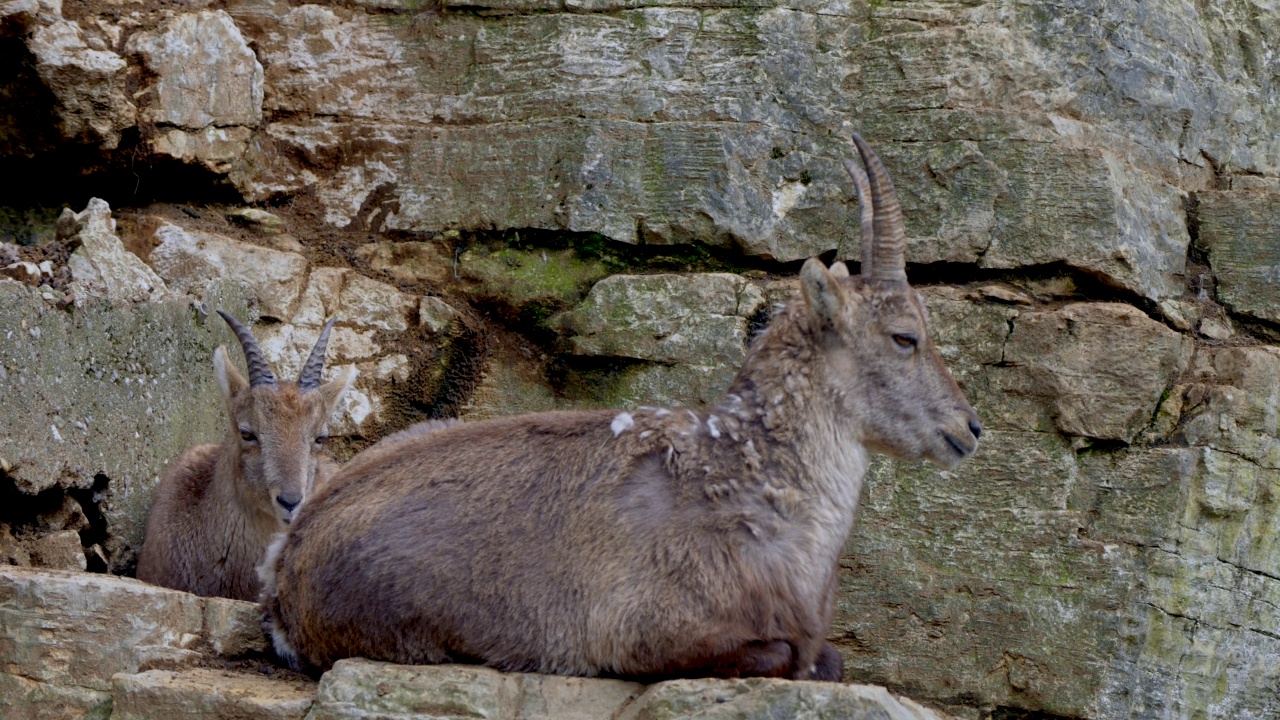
x,y
81,645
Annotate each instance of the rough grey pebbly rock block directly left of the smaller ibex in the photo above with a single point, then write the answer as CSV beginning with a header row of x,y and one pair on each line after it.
x,y
108,393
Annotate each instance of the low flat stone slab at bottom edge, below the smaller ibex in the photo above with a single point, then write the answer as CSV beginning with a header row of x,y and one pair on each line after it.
x,y
209,695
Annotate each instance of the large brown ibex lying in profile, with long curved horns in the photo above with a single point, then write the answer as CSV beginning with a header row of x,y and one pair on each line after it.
x,y
650,544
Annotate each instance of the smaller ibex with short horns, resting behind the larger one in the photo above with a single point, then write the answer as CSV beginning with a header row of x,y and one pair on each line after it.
x,y
220,505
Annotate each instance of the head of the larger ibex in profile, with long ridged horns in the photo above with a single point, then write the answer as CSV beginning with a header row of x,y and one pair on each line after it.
x,y
874,335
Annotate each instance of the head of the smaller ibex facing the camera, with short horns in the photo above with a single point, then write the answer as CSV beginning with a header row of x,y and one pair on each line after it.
x,y
281,426
